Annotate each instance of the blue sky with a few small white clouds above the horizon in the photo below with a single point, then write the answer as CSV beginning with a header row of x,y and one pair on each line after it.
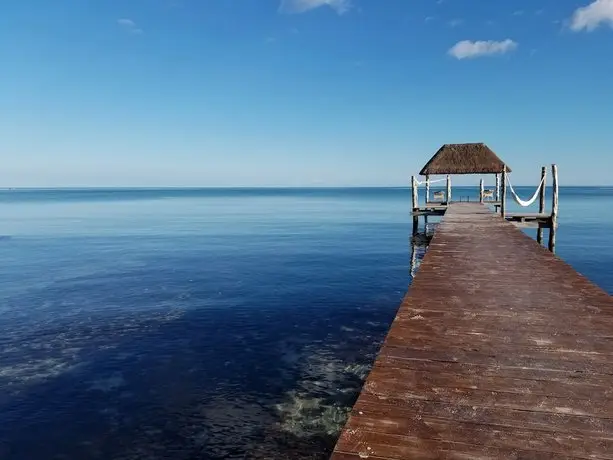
x,y
300,92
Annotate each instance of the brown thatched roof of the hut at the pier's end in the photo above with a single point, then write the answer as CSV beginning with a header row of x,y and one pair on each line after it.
x,y
464,159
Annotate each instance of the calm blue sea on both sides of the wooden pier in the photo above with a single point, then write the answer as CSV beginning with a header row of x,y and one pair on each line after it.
x,y
212,324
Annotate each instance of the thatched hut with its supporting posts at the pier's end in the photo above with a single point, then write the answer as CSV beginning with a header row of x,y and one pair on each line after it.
x,y
472,158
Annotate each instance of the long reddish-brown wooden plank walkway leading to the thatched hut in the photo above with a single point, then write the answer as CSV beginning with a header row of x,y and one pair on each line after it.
x,y
500,350
